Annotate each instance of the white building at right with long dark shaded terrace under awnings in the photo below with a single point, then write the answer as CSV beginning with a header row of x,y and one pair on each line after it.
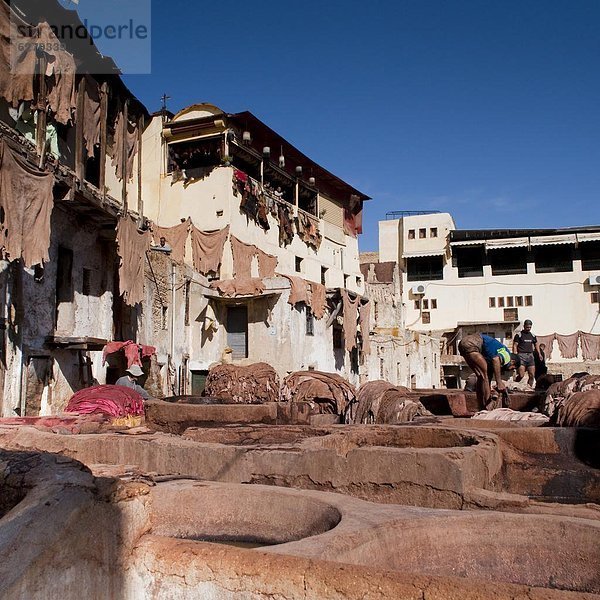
x,y
457,282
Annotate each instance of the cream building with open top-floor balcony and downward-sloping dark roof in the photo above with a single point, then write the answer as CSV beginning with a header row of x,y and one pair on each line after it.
x,y
223,170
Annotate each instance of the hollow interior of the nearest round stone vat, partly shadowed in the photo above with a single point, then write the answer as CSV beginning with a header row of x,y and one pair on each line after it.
x,y
245,515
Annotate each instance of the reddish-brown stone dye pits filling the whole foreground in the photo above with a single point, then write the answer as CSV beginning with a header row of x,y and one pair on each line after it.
x,y
420,511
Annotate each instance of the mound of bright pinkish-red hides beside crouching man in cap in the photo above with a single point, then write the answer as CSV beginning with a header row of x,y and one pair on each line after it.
x,y
111,400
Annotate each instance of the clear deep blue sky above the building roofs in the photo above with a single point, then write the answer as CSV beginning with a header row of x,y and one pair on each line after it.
x,y
487,109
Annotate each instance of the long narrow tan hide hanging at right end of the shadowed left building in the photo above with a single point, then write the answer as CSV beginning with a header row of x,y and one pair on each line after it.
x,y
132,246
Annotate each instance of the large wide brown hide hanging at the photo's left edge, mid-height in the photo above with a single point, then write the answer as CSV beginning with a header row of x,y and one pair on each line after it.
x,y
26,199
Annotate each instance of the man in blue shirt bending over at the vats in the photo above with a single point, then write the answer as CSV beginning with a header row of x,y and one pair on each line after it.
x,y
487,358
